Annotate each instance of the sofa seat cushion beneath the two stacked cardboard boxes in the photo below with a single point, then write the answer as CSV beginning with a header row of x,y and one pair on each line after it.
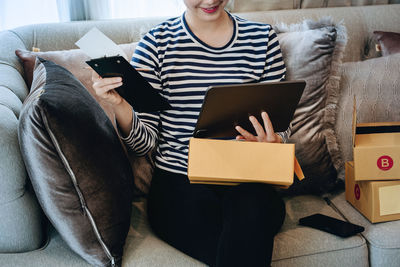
x,y
383,238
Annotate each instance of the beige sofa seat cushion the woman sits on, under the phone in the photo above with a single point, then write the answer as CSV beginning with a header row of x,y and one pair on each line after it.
x,y
294,245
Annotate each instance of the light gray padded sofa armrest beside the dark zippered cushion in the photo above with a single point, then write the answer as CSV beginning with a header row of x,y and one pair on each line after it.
x,y
21,224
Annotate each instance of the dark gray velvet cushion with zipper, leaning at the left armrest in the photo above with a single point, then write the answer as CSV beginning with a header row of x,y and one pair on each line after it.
x,y
79,171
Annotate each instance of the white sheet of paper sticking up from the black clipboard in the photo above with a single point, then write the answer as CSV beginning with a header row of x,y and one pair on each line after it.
x,y
96,45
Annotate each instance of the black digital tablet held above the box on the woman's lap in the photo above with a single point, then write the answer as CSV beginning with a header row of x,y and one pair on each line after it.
x,y
227,106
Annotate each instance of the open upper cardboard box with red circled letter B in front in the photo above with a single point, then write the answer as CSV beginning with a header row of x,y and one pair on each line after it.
x,y
376,150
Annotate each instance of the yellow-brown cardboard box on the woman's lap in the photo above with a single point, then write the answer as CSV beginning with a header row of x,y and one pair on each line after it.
x,y
230,162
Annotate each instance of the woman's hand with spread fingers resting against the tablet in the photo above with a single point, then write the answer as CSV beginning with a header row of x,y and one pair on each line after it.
x,y
264,134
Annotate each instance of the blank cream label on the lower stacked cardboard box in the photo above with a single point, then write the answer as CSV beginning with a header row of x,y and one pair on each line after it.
x,y
389,200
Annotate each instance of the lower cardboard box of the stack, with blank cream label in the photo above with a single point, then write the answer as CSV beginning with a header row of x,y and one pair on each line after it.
x,y
378,201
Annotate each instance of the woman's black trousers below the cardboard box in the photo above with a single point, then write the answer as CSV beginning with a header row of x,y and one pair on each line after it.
x,y
218,225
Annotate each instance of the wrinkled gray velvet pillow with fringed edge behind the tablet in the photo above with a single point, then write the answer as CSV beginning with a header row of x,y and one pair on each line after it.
x,y
312,51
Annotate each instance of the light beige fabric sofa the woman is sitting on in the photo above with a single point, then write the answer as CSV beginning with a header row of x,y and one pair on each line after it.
x,y
27,239
